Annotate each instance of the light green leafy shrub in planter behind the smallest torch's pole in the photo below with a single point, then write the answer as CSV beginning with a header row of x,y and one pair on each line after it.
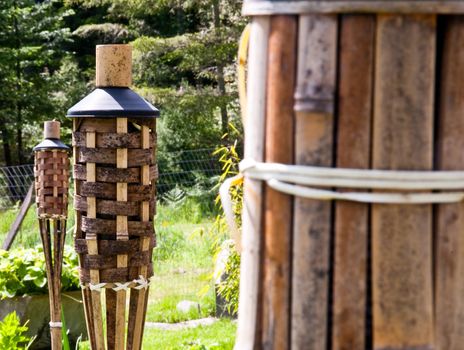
x,y
22,272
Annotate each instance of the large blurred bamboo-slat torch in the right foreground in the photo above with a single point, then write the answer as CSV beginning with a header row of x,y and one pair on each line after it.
x,y
363,85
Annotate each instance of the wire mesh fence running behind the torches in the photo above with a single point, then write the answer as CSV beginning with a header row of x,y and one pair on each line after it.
x,y
182,169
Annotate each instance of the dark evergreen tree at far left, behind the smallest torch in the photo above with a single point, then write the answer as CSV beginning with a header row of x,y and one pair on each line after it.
x,y
31,39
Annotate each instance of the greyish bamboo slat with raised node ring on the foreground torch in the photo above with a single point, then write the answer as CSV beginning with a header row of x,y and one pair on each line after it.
x,y
313,146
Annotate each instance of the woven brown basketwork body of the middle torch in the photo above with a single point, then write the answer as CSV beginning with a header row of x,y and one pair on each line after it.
x,y
97,177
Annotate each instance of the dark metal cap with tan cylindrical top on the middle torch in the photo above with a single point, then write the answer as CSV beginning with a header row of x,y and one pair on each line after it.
x,y
112,96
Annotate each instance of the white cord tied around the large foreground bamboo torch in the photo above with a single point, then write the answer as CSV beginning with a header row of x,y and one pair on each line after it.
x,y
296,180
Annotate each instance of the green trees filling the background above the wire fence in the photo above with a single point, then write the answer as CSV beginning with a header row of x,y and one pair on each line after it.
x,y
184,63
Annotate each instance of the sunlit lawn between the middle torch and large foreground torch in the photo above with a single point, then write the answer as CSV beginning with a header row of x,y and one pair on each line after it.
x,y
183,266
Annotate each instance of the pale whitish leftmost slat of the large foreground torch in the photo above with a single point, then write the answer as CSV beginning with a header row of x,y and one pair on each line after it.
x,y
252,192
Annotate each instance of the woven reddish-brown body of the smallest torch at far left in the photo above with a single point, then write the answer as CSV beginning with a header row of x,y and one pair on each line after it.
x,y
51,173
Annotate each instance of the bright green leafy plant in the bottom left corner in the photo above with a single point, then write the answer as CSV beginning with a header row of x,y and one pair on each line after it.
x,y
12,334
